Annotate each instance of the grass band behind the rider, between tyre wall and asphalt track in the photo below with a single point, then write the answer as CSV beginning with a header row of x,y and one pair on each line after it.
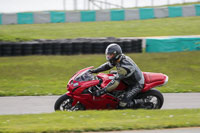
x,y
48,75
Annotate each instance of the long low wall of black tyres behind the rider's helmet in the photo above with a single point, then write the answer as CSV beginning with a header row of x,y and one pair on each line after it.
x,y
67,47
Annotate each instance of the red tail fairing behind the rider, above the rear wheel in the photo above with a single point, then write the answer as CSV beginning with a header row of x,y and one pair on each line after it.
x,y
153,79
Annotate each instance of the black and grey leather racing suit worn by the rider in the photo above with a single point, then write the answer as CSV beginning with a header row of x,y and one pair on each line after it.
x,y
129,73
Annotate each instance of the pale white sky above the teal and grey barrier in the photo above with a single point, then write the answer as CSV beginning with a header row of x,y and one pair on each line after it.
x,y
12,6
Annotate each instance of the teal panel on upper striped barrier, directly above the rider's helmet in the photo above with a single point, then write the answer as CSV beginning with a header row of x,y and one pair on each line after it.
x,y
117,15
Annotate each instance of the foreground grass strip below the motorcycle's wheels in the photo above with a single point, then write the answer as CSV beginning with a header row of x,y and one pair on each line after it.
x,y
83,121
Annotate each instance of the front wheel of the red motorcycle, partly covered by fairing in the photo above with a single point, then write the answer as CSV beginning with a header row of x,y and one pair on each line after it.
x,y
63,103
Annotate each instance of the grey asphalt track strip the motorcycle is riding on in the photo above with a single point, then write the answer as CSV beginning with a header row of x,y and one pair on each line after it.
x,y
45,104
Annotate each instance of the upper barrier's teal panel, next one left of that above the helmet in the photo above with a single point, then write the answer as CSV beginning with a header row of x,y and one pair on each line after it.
x,y
87,16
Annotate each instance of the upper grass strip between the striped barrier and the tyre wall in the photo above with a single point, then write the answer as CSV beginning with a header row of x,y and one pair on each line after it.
x,y
135,28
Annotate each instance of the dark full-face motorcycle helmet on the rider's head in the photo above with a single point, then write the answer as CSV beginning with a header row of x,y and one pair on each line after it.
x,y
113,53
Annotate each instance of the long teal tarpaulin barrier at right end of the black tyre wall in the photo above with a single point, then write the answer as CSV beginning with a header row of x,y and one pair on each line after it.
x,y
172,44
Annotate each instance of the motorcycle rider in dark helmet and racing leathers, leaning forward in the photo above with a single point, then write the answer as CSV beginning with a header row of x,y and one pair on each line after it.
x,y
127,71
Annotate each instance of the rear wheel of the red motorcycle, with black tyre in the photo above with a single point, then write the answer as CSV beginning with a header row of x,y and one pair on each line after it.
x,y
153,99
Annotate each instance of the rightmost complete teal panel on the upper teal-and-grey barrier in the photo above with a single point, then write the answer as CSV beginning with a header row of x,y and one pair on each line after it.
x,y
175,11
